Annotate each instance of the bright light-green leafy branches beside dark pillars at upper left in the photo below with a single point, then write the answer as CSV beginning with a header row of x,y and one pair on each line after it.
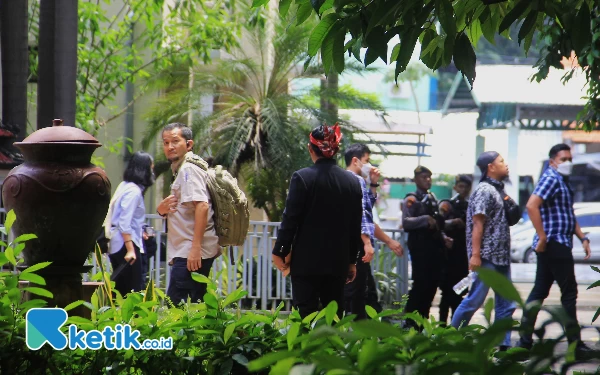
x,y
130,44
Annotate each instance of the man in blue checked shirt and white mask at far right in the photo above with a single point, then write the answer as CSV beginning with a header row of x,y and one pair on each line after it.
x,y
551,212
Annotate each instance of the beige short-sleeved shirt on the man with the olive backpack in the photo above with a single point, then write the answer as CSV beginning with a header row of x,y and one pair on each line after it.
x,y
190,186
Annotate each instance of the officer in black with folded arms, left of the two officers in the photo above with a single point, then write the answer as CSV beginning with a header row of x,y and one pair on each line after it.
x,y
424,224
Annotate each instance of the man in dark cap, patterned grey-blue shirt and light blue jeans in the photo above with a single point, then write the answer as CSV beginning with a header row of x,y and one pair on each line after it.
x,y
488,239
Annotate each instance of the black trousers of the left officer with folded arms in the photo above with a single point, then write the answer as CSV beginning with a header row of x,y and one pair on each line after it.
x,y
426,270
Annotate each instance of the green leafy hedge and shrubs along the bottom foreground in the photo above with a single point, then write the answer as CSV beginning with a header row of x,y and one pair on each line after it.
x,y
217,337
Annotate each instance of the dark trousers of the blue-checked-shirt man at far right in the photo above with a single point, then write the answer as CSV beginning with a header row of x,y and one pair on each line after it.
x,y
554,264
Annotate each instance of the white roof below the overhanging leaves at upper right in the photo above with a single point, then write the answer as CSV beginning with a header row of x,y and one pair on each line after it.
x,y
512,84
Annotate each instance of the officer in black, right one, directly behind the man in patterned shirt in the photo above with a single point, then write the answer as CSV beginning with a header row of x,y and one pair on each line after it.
x,y
456,262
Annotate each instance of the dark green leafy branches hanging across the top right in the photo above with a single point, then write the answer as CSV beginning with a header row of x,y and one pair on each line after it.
x,y
448,30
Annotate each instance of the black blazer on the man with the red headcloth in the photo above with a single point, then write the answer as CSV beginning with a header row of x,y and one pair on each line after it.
x,y
322,220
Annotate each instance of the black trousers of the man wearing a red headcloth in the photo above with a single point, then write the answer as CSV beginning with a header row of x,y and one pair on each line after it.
x,y
309,290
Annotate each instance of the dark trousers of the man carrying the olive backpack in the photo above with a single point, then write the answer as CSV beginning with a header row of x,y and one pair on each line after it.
x,y
181,284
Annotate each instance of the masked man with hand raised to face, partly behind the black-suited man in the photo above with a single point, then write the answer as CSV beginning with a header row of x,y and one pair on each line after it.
x,y
363,291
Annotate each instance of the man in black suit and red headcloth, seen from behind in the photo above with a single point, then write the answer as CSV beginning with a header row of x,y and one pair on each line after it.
x,y
322,223
